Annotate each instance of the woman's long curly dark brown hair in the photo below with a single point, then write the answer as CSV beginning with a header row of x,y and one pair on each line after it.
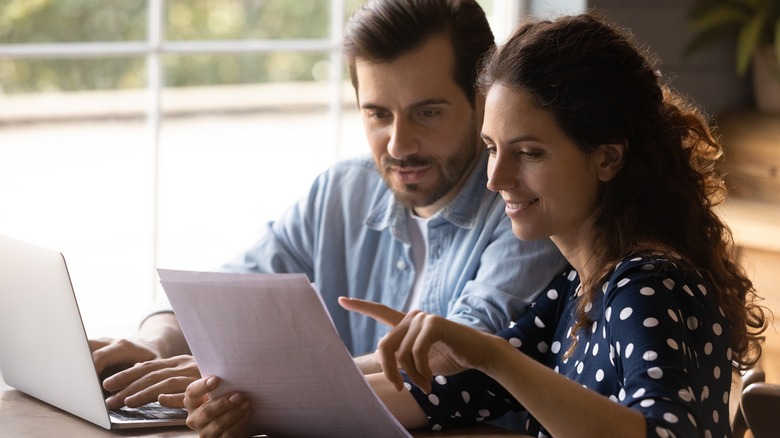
x,y
602,89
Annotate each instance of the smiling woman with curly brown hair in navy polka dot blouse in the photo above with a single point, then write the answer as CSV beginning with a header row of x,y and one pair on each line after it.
x,y
640,336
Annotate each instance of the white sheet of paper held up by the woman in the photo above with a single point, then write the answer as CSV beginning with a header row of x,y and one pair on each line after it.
x,y
270,337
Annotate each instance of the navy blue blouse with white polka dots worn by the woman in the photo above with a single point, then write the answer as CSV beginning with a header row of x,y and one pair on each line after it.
x,y
657,343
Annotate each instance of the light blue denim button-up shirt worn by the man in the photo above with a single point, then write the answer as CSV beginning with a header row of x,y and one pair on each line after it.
x,y
351,238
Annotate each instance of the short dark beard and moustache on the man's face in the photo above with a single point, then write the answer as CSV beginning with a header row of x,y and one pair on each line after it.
x,y
448,173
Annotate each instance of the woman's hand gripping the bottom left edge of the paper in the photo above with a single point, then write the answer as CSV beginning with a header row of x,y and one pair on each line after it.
x,y
224,417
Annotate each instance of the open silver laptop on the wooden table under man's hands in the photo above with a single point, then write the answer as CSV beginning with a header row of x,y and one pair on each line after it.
x,y
44,350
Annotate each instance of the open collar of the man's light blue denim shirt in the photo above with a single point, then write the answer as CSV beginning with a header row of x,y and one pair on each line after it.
x,y
461,211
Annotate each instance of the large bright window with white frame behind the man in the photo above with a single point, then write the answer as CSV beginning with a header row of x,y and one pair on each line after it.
x,y
150,133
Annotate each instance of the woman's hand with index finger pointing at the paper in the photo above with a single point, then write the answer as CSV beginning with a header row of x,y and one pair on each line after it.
x,y
422,344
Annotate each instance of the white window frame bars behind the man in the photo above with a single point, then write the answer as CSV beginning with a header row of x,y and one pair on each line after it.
x,y
504,16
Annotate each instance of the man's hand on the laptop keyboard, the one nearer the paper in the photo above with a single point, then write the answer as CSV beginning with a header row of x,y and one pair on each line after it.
x,y
163,380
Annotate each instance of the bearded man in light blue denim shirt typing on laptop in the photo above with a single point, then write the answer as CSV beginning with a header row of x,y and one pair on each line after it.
x,y
413,227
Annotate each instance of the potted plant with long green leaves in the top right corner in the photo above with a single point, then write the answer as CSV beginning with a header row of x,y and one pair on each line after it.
x,y
756,26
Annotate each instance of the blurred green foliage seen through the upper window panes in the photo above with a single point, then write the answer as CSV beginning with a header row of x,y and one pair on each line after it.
x,y
78,21
